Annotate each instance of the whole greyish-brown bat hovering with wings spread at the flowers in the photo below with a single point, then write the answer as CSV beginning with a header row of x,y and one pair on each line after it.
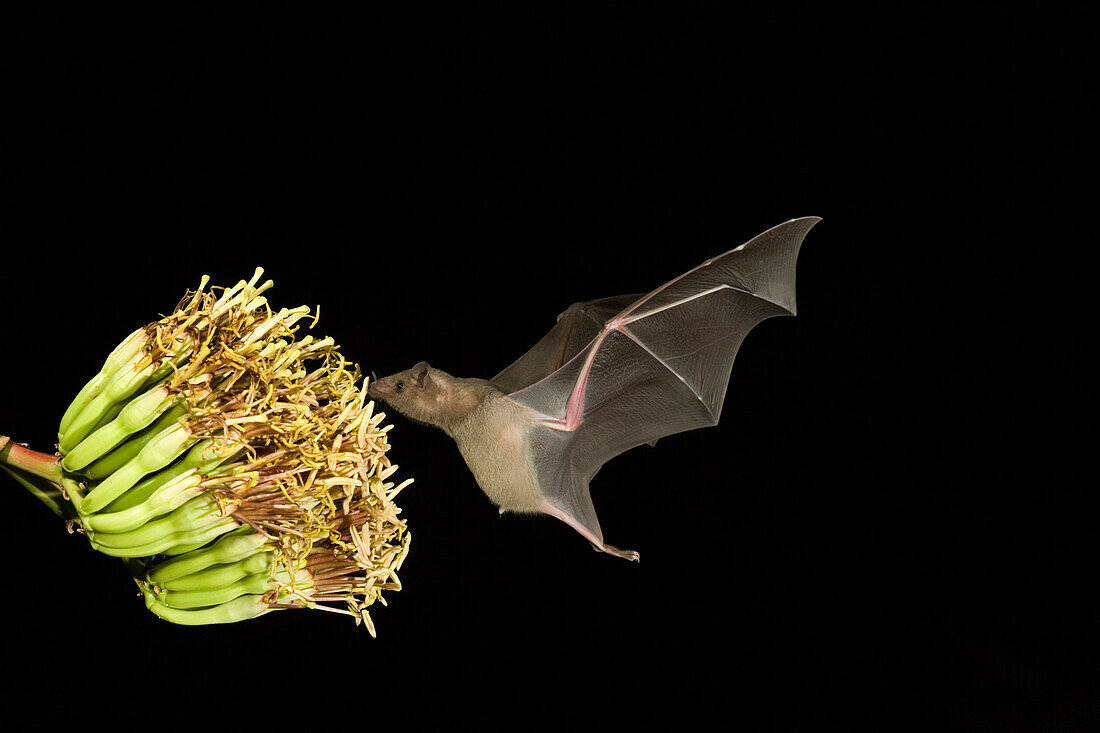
x,y
612,375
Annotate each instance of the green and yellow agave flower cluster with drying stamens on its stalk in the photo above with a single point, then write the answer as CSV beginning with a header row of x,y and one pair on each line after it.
x,y
238,467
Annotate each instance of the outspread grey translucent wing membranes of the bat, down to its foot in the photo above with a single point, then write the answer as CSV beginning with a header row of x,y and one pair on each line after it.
x,y
617,374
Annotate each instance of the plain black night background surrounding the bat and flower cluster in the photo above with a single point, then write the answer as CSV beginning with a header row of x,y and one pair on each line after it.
x,y
875,535
